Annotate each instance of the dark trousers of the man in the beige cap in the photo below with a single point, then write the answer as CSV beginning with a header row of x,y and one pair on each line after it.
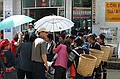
x,y
38,70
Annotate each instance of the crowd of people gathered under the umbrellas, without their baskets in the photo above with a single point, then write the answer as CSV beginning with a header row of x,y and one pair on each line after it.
x,y
28,55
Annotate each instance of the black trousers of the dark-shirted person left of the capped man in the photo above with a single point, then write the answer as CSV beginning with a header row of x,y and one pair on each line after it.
x,y
21,74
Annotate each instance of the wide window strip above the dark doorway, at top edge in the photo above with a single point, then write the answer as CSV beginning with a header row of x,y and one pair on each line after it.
x,y
43,3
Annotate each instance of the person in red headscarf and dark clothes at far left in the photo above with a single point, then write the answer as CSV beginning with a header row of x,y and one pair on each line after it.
x,y
8,60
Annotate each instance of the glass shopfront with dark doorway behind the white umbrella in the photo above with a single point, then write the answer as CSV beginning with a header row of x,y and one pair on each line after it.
x,y
79,11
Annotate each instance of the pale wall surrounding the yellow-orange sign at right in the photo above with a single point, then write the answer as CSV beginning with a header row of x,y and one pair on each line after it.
x,y
100,17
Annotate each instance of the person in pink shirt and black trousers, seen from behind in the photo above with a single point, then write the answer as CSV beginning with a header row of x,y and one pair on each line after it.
x,y
61,61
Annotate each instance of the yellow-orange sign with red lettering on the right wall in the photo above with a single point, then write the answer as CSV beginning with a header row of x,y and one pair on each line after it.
x,y
112,11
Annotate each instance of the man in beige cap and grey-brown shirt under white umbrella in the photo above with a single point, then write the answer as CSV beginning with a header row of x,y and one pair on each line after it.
x,y
39,56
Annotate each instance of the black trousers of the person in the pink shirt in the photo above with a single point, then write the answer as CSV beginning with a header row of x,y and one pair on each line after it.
x,y
60,72
